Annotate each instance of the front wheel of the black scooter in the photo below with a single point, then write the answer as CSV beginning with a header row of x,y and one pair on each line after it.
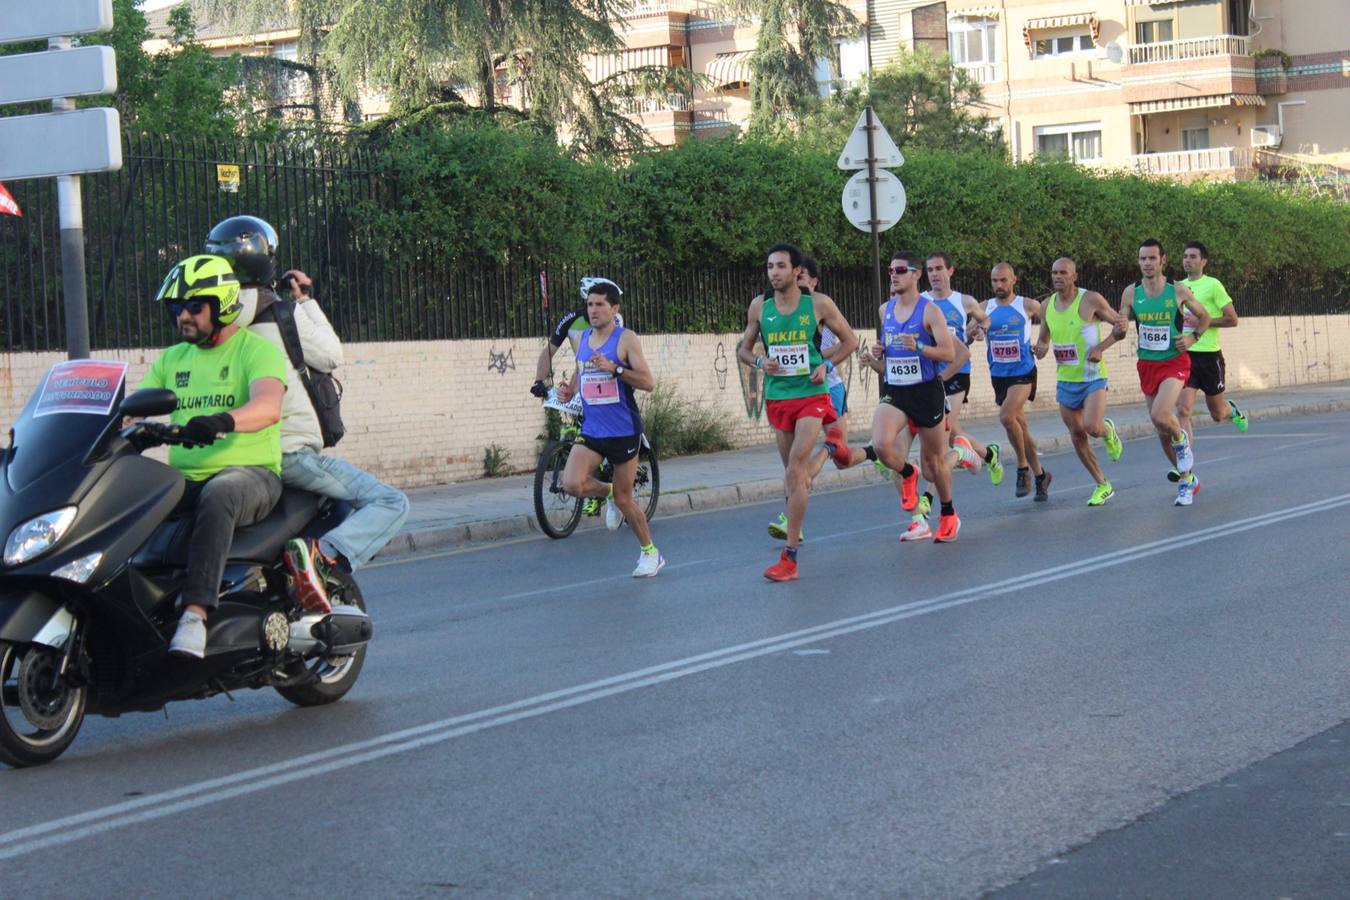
x,y
37,723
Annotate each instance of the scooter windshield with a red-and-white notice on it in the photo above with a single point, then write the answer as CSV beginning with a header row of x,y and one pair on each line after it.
x,y
64,418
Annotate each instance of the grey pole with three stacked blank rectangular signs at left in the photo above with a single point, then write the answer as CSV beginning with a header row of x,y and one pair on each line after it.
x,y
65,142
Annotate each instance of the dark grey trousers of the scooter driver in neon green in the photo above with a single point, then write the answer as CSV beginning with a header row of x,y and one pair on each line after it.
x,y
233,497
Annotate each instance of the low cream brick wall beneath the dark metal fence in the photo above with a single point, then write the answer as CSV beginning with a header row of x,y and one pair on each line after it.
x,y
422,414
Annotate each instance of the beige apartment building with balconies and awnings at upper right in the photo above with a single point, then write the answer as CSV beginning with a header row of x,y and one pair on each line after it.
x,y
1191,88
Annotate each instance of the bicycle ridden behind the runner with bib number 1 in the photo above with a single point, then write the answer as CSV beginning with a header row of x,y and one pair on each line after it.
x,y
557,511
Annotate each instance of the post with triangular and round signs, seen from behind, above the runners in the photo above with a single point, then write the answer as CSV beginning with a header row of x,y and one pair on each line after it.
x,y
870,148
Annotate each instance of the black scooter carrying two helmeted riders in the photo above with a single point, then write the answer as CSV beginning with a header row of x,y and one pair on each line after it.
x,y
91,577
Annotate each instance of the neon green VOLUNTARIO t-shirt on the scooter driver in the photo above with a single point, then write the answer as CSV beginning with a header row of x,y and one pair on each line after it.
x,y
215,380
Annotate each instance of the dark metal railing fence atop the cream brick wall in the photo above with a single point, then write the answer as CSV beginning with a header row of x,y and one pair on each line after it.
x,y
160,207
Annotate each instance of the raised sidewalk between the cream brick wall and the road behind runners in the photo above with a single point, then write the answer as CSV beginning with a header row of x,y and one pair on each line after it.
x,y
450,516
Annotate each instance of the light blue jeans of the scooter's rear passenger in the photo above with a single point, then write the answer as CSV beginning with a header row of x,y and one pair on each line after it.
x,y
380,509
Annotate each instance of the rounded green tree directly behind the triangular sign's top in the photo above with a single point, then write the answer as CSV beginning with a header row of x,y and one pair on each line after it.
x,y
924,102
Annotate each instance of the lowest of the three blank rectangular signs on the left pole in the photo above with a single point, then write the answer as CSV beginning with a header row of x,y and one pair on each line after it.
x,y
60,144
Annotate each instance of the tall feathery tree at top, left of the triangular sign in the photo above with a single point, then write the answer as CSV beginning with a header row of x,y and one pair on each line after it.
x,y
794,36
